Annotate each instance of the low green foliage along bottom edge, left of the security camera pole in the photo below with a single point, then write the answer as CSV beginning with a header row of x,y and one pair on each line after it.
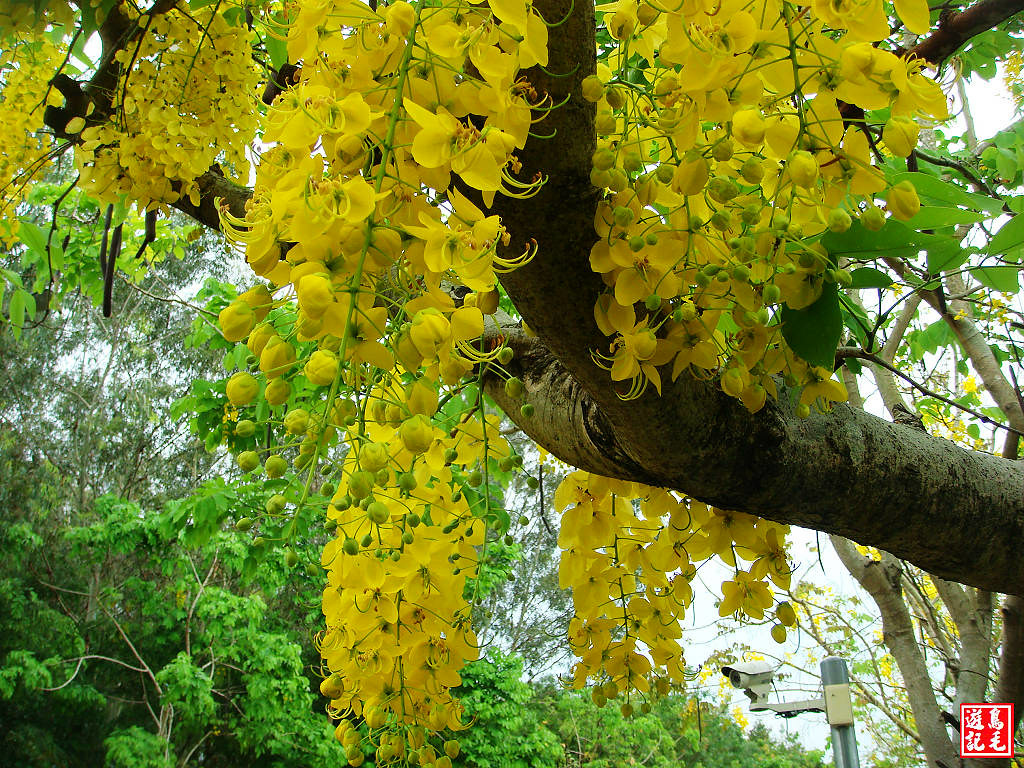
x,y
519,726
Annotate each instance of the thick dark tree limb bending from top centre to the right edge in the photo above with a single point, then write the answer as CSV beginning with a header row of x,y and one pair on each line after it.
x,y
954,514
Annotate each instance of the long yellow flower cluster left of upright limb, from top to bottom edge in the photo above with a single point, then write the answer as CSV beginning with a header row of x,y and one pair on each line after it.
x,y
382,119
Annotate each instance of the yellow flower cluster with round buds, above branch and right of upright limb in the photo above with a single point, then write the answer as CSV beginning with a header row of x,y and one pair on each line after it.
x,y
726,162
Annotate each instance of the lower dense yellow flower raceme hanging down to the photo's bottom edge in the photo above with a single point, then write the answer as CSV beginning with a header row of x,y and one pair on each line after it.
x,y
407,540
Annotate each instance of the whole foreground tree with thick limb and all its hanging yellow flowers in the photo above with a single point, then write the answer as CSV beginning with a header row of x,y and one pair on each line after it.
x,y
663,240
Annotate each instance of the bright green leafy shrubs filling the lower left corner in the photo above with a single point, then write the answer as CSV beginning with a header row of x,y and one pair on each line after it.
x,y
91,606
